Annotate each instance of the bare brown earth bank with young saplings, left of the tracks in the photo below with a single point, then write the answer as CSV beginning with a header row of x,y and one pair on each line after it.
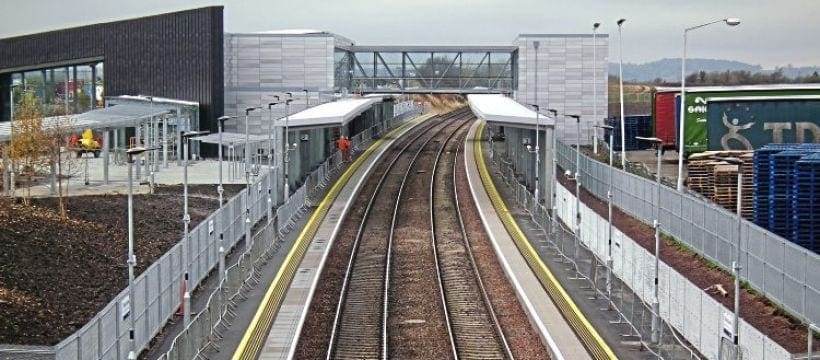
x,y
56,274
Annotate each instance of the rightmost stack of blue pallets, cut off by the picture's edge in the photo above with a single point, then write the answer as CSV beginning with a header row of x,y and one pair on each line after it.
x,y
806,205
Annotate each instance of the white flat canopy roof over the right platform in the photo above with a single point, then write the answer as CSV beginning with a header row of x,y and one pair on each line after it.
x,y
501,110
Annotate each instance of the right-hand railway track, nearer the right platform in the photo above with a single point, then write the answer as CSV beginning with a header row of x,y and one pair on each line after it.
x,y
475,331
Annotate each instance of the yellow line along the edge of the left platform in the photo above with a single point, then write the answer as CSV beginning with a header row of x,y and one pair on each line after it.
x,y
253,339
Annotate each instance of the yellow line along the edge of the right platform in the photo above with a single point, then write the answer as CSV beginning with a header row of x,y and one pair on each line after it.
x,y
591,339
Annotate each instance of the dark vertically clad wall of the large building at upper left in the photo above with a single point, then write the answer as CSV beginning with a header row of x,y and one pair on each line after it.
x,y
176,55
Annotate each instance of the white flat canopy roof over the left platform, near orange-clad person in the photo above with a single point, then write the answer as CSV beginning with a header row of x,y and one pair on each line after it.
x,y
332,114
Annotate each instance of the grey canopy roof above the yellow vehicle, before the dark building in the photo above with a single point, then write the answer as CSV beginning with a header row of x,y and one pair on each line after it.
x,y
104,118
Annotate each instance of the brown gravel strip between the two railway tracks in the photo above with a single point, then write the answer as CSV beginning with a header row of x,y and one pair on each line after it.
x,y
417,327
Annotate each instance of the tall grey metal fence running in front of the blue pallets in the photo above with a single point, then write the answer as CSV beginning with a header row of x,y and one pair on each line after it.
x,y
785,273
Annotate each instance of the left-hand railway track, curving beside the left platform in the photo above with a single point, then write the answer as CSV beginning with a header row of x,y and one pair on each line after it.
x,y
360,327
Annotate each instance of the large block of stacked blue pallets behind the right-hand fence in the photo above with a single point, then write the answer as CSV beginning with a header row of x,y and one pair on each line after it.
x,y
787,187
